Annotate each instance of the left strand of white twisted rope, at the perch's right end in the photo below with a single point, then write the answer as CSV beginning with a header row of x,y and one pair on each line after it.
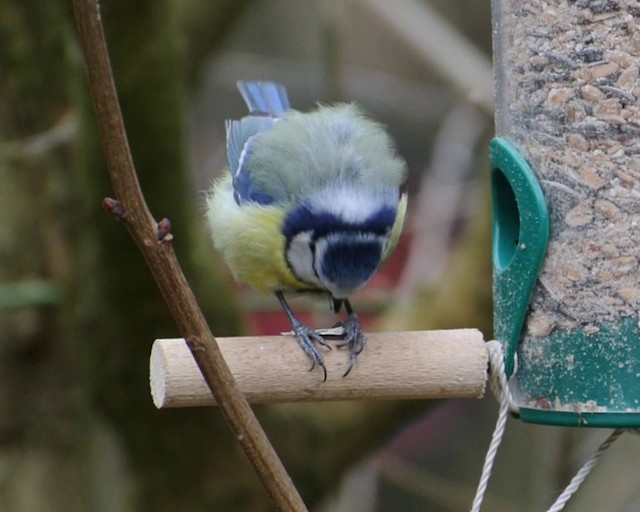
x,y
500,387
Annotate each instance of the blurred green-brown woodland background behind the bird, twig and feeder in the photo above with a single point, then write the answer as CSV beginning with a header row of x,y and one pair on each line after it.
x,y
79,311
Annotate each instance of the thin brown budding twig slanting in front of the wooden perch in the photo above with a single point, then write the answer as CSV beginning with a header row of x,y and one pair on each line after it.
x,y
152,239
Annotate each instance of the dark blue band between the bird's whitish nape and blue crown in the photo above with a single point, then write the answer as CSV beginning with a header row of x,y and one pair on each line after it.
x,y
322,224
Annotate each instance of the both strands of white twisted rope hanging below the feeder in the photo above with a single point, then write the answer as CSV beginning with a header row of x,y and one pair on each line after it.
x,y
500,387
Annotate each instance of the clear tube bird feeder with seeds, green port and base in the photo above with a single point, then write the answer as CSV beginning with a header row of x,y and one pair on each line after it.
x,y
565,174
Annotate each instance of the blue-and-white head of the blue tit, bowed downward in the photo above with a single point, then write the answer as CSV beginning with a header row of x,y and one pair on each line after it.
x,y
336,239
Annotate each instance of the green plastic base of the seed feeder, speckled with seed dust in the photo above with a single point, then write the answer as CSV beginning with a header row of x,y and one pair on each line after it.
x,y
578,378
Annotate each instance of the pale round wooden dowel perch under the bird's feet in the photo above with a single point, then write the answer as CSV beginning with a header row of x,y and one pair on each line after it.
x,y
400,365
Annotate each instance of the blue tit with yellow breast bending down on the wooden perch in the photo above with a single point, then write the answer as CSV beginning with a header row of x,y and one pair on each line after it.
x,y
313,202
